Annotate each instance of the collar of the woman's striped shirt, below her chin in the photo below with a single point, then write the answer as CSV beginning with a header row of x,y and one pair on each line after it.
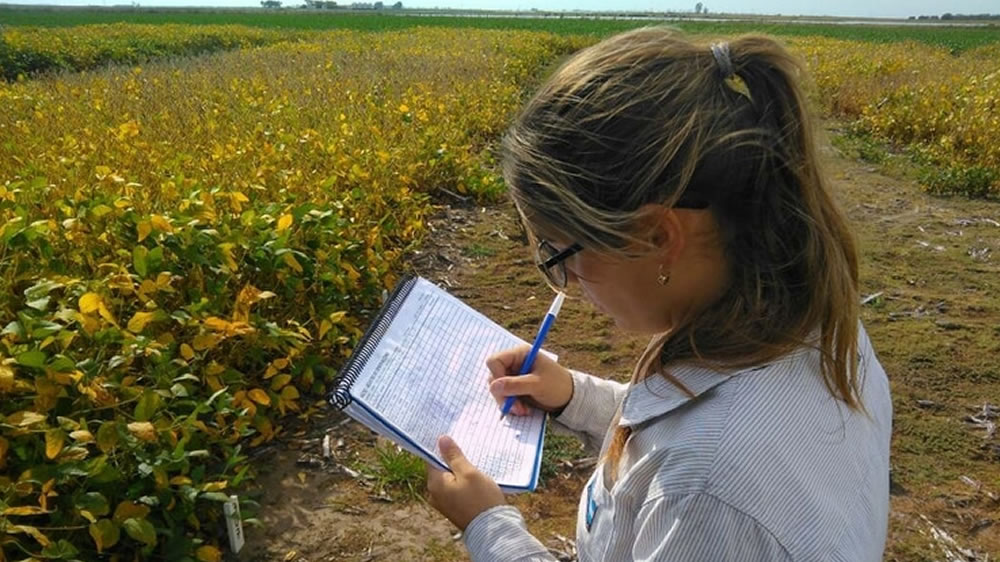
x,y
656,396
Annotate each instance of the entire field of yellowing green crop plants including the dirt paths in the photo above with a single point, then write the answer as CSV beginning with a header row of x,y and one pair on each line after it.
x,y
200,217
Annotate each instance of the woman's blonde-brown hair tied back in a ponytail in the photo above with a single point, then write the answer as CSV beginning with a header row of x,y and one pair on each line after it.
x,y
648,116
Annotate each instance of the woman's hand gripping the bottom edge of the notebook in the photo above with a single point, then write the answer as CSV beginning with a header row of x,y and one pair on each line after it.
x,y
463,493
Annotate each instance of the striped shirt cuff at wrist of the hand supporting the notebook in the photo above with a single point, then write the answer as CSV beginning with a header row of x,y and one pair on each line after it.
x,y
500,535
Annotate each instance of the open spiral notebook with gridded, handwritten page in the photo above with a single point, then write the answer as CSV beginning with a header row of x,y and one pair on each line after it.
x,y
420,372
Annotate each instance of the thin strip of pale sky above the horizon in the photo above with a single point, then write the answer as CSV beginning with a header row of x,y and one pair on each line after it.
x,y
849,8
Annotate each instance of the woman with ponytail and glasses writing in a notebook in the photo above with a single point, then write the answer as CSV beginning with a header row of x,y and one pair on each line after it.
x,y
679,186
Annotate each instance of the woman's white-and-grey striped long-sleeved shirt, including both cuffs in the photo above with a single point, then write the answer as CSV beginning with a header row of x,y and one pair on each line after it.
x,y
762,465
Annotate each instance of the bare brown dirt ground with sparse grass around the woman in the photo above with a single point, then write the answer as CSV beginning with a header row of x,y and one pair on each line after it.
x,y
929,272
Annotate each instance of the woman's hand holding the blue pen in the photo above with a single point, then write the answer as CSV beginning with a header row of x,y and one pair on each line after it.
x,y
548,386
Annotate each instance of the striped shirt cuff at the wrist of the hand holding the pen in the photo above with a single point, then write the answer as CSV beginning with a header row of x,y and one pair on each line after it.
x,y
592,408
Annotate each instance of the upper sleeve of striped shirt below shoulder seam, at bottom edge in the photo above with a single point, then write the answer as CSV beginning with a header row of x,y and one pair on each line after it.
x,y
698,527
